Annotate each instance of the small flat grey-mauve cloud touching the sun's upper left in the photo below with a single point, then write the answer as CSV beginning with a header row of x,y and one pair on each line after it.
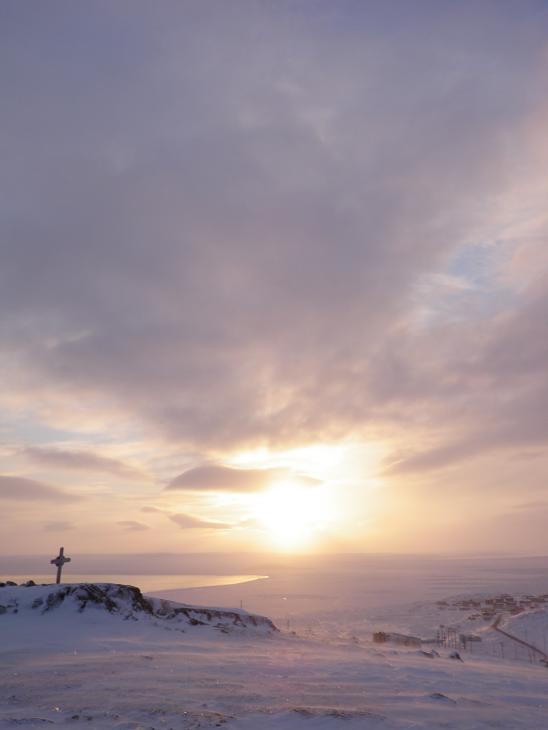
x,y
217,478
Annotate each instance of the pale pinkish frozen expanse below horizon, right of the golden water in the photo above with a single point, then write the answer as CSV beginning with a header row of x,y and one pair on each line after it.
x,y
311,588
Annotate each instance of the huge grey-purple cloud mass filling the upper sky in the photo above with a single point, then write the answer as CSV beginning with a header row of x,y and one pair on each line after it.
x,y
249,231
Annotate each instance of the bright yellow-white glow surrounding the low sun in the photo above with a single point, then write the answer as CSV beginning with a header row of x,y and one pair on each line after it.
x,y
341,507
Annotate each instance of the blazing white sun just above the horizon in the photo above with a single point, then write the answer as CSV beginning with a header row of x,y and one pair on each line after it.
x,y
292,514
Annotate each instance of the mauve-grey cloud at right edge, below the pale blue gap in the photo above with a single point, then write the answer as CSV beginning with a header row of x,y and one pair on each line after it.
x,y
481,390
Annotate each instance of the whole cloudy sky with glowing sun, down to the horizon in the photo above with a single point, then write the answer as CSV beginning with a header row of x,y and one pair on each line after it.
x,y
274,276
